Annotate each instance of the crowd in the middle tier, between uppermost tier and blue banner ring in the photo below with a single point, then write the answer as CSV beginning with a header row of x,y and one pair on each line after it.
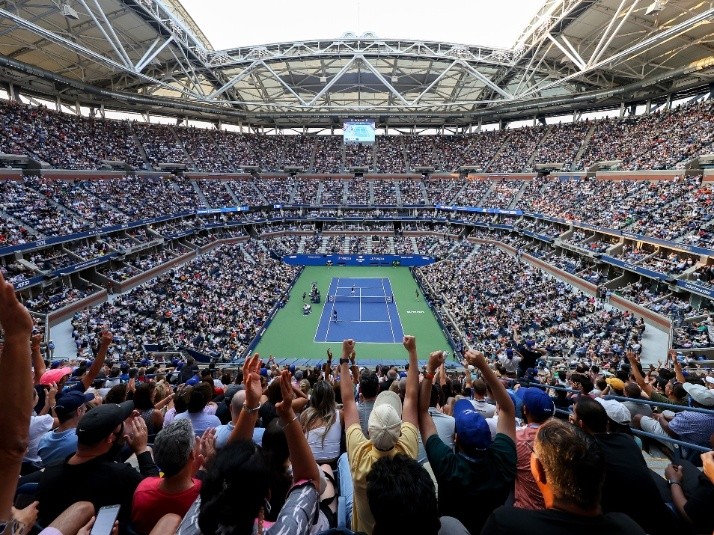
x,y
676,209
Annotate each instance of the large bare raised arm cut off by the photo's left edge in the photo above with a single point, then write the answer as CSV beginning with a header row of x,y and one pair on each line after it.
x,y
15,393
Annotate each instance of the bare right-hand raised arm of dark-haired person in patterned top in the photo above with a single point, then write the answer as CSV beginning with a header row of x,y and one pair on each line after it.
x,y
301,458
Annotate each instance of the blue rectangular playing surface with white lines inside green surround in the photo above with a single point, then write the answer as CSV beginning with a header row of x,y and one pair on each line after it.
x,y
362,309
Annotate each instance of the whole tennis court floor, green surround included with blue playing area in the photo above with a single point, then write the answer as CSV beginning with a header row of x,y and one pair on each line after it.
x,y
291,337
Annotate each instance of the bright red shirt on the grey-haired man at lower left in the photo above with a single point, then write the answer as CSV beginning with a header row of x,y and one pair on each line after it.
x,y
151,503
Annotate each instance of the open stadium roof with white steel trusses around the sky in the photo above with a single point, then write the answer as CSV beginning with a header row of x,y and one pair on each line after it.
x,y
150,56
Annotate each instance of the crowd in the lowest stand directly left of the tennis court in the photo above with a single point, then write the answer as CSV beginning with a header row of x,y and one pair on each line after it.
x,y
214,304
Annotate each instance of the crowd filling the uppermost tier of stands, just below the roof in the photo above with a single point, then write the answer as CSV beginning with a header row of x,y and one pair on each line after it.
x,y
662,139
